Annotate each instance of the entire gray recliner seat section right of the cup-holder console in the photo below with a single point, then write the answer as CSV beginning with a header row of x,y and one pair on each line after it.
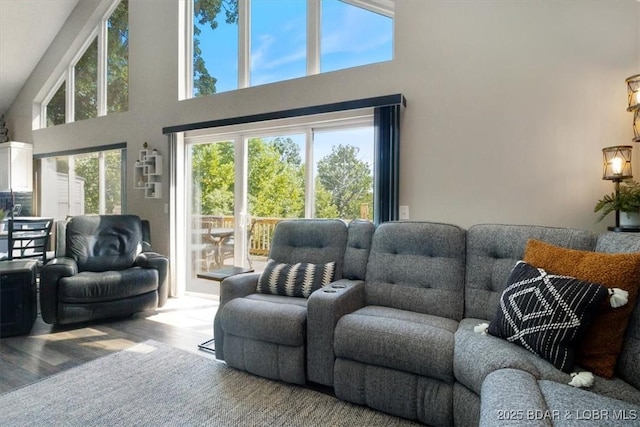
x,y
395,354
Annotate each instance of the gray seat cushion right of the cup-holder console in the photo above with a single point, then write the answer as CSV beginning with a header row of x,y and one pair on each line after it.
x,y
417,343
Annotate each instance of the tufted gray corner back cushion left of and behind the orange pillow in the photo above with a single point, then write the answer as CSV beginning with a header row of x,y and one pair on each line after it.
x,y
492,252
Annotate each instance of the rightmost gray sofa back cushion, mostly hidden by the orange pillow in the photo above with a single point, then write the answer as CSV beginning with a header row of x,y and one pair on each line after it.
x,y
629,361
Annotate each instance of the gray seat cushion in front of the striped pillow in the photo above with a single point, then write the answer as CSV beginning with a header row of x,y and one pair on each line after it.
x,y
278,322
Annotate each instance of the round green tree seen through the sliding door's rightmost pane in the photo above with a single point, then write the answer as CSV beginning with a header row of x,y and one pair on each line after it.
x,y
348,180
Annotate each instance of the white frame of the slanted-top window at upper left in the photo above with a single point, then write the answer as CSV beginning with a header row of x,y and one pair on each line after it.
x,y
100,30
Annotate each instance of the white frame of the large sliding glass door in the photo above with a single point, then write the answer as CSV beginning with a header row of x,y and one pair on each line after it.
x,y
239,135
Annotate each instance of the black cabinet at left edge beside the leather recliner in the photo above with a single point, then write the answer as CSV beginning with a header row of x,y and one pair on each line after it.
x,y
18,297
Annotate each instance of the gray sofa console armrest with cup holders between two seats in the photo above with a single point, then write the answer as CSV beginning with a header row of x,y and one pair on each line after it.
x,y
325,307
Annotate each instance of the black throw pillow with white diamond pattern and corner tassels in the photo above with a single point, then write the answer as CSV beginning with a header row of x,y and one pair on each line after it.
x,y
545,313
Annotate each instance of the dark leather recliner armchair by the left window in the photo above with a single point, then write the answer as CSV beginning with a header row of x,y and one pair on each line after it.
x,y
107,269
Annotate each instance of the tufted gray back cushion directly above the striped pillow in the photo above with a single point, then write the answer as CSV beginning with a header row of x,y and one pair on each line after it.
x,y
315,241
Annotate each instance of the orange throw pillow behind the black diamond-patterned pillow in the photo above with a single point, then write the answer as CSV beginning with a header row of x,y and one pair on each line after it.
x,y
603,340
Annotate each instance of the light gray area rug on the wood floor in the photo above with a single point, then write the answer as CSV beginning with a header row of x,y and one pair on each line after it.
x,y
153,384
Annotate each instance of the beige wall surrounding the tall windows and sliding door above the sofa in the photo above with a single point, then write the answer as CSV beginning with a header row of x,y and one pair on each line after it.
x,y
509,104
